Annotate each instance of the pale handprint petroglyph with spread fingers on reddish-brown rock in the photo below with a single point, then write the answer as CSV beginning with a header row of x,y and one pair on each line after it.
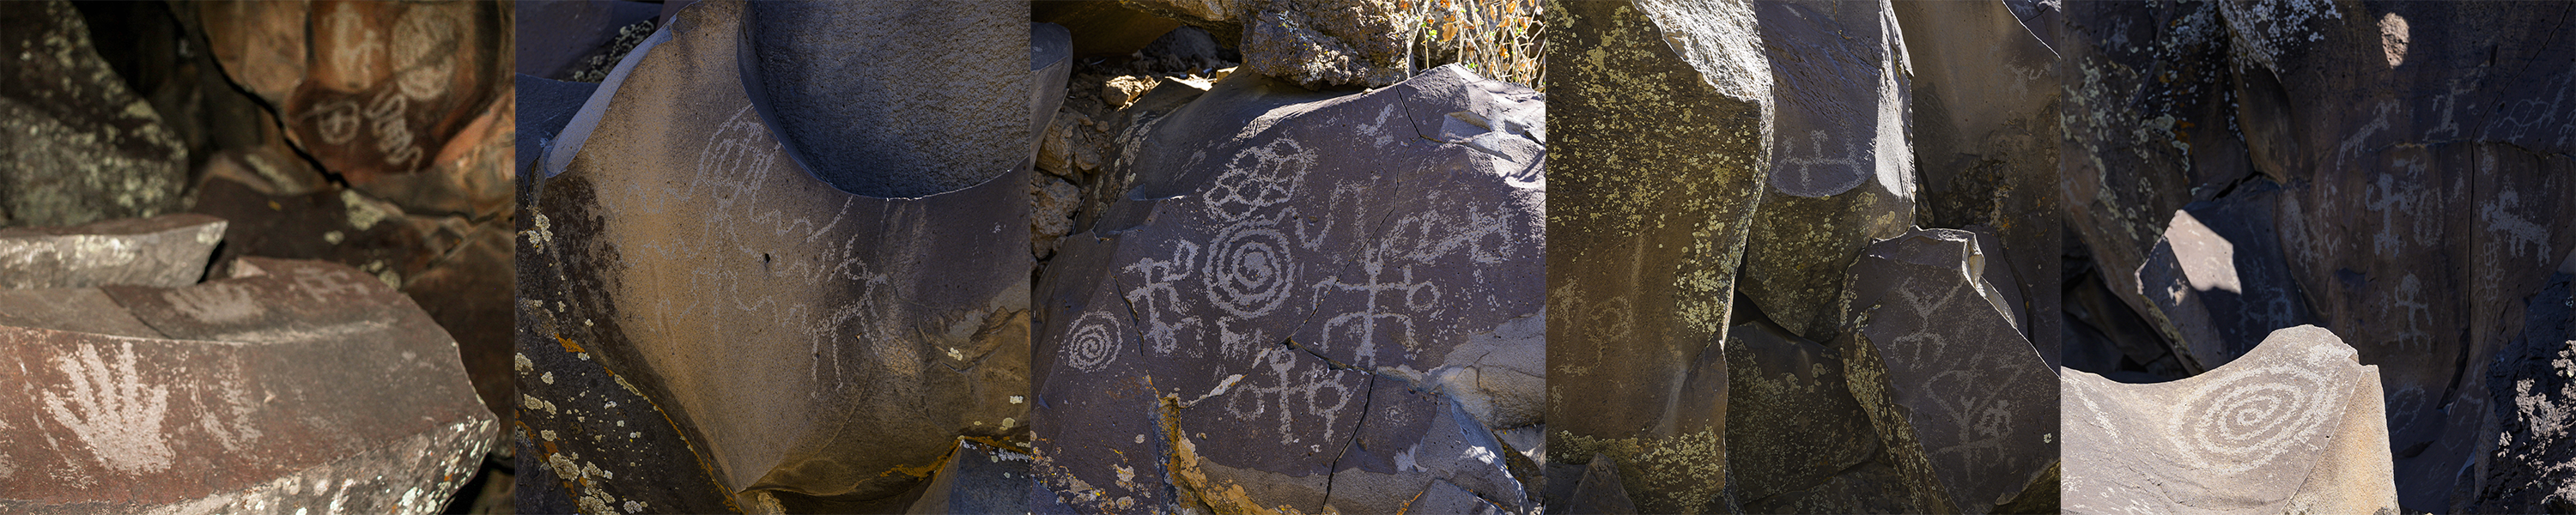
x,y
112,411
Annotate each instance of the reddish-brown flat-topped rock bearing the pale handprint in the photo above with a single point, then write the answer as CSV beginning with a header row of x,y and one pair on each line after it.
x,y
287,385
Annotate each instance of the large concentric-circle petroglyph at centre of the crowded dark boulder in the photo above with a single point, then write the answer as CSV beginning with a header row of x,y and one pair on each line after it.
x,y
1251,269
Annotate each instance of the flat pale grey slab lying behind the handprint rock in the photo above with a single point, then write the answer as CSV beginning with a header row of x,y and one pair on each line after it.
x,y
164,251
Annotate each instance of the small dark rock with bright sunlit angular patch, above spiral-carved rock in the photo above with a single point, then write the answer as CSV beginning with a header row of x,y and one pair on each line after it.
x,y
2219,282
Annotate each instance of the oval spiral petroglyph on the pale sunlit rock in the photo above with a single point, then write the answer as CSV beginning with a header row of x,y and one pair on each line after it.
x,y
2248,418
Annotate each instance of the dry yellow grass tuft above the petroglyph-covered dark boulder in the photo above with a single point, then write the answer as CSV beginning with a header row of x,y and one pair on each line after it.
x,y
1501,40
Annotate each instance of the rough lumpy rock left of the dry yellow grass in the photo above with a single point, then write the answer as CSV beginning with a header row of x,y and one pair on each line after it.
x,y
1307,42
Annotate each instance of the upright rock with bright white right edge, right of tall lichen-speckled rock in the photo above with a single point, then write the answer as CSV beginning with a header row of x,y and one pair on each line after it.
x,y
1843,169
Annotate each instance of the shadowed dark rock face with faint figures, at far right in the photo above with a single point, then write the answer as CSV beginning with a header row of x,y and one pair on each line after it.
x,y
2428,194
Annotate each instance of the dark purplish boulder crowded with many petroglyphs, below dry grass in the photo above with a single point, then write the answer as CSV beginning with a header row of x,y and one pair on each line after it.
x,y
1276,323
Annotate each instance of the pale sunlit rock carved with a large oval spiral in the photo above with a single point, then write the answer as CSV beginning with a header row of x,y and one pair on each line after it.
x,y
2294,426
